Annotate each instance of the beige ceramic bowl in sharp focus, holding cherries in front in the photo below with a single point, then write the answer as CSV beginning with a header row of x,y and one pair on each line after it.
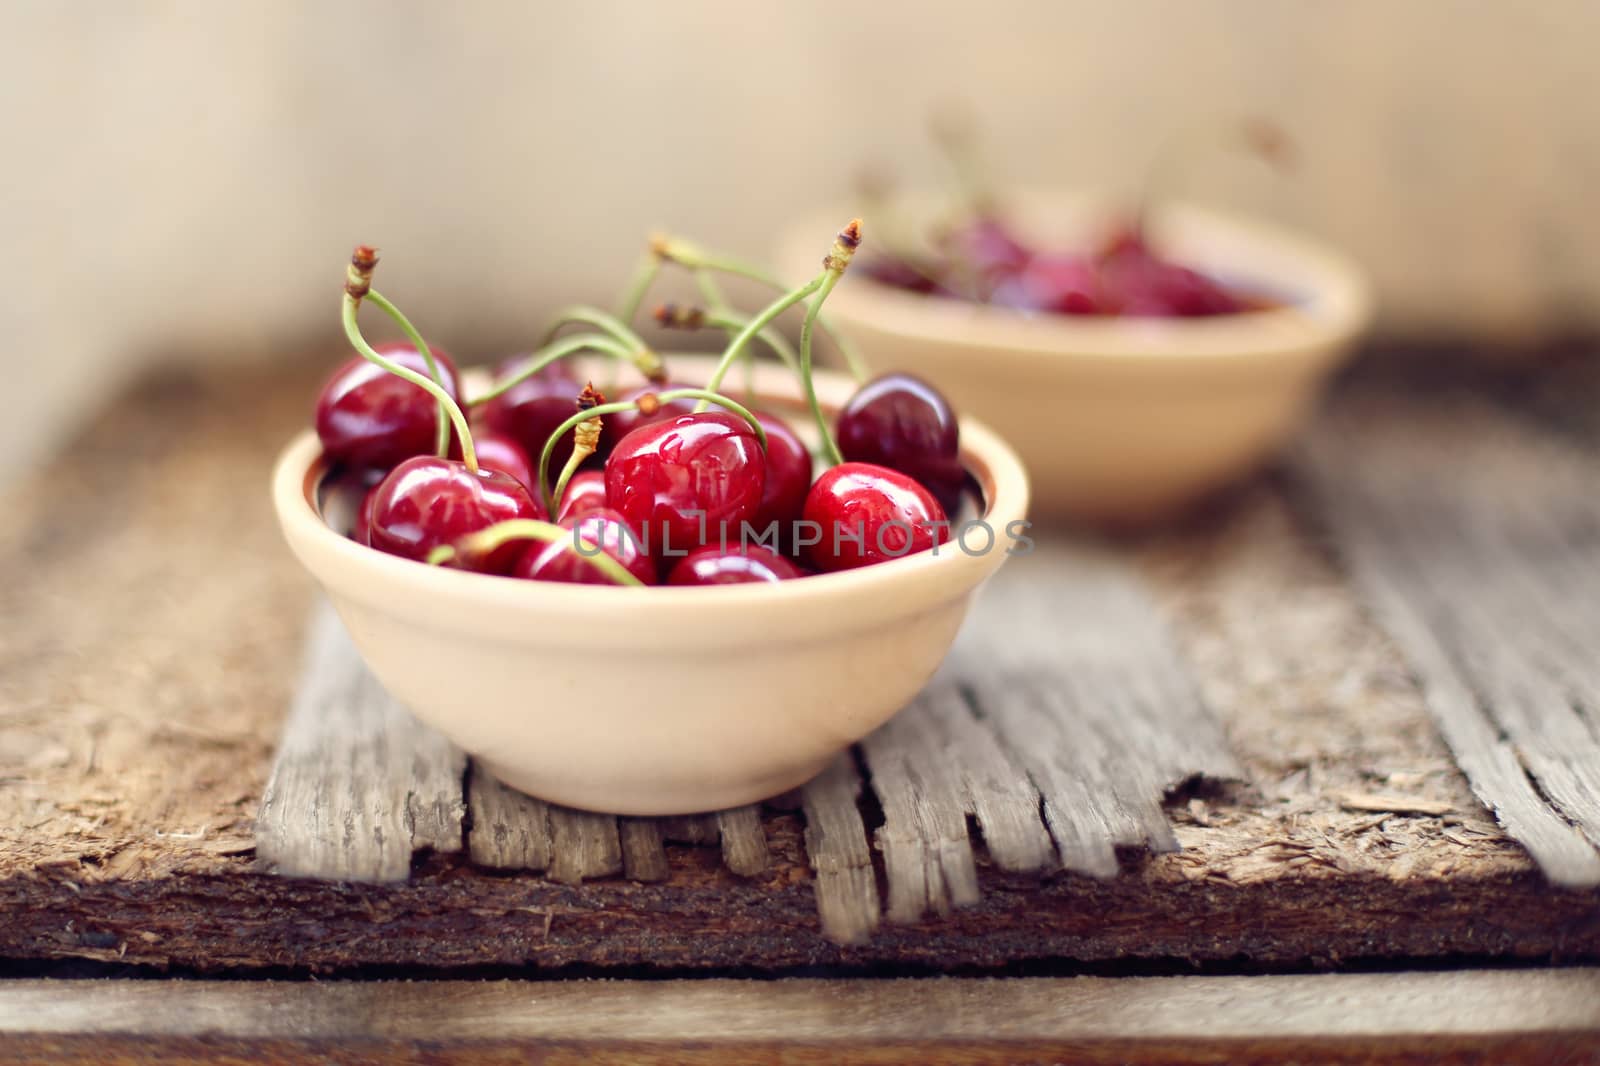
x,y
665,700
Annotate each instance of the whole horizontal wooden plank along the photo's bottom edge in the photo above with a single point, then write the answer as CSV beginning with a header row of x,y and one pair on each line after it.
x,y
1514,1017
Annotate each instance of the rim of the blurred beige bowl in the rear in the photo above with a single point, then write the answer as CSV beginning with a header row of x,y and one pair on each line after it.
x,y
1337,305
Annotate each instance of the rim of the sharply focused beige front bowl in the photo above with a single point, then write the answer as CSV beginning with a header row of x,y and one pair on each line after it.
x,y
300,470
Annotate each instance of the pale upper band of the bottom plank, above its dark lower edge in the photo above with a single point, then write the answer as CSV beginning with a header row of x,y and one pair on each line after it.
x,y
724,1014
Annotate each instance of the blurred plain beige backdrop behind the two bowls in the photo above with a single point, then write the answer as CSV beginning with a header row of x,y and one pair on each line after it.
x,y
185,180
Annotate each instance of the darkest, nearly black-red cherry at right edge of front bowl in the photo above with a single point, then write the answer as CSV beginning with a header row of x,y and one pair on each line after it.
x,y
906,425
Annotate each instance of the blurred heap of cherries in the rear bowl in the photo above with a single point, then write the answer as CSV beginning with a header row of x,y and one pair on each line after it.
x,y
985,260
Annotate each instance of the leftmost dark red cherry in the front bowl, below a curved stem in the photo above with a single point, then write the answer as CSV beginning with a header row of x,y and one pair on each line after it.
x,y
369,417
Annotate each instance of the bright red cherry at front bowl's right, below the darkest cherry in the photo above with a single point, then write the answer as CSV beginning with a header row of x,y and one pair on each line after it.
x,y
865,515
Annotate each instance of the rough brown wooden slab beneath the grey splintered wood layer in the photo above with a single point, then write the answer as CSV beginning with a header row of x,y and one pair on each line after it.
x,y
137,739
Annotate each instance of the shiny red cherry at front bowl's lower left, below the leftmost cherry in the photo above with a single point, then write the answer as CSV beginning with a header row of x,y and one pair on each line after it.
x,y
428,503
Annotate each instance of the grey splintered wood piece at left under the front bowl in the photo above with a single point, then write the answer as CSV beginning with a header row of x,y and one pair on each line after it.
x,y
359,785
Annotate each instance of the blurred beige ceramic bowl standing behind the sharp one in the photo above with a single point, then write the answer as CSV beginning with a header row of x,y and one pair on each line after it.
x,y
1121,420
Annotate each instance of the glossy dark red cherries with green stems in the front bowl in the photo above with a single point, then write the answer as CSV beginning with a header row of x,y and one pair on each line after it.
x,y
665,486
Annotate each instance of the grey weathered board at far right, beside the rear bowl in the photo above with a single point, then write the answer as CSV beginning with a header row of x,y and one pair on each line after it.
x,y
1478,542
